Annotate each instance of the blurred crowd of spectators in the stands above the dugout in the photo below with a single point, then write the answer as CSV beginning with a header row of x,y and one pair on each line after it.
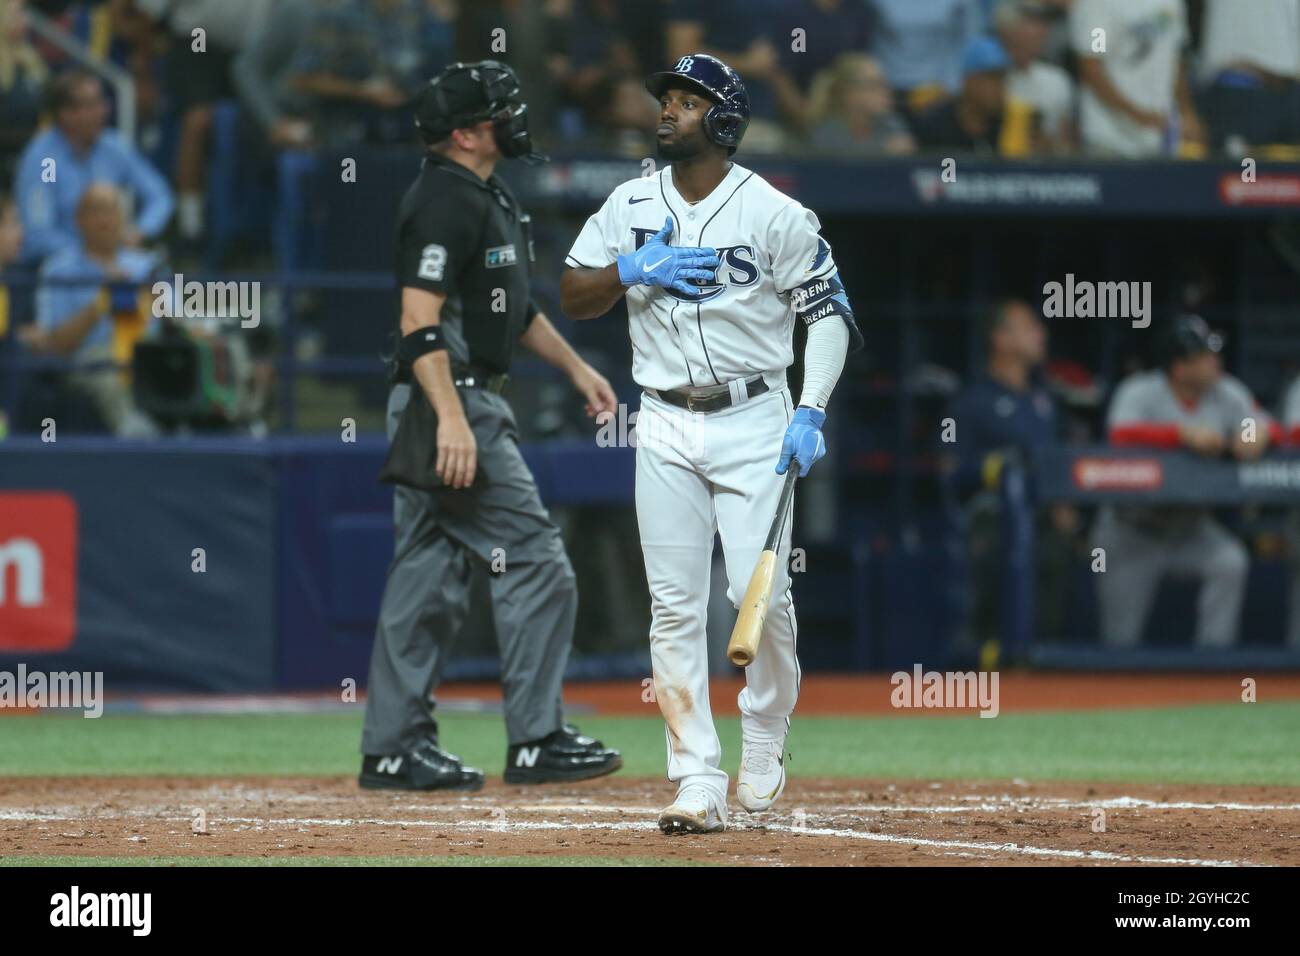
x,y
1016,79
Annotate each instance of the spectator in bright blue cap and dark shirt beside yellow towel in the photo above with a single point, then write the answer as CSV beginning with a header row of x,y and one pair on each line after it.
x,y
982,119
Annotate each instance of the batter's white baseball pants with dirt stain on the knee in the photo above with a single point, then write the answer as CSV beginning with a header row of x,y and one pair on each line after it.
x,y
700,475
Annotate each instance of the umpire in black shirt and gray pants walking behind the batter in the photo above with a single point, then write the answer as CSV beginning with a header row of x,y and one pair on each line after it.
x,y
463,265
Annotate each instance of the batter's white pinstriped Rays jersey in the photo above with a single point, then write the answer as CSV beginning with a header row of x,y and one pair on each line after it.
x,y
743,323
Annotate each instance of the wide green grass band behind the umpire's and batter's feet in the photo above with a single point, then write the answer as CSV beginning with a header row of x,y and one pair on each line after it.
x,y
1230,743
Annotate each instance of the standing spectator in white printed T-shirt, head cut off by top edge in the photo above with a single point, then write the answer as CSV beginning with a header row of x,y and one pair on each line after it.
x,y
1137,101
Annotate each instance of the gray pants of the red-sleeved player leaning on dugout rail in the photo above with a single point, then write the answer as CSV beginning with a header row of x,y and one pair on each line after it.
x,y
1137,560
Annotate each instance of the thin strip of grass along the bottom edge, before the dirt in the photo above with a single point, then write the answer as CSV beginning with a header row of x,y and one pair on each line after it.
x,y
466,860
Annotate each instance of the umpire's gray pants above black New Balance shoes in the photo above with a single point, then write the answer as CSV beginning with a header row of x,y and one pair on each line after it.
x,y
501,524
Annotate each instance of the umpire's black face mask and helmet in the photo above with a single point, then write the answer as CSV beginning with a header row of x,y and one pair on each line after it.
x,y
466,94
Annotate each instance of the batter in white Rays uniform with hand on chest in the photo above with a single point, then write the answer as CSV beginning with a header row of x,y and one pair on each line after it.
x,y
716,265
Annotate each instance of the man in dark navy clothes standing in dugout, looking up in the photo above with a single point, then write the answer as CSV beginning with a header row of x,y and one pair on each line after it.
x,y
1000,419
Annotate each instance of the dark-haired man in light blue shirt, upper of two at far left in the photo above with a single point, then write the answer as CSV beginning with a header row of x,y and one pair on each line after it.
x,y
62,162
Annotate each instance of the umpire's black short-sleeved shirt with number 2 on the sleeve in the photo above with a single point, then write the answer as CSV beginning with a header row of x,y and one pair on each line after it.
x,y
469,240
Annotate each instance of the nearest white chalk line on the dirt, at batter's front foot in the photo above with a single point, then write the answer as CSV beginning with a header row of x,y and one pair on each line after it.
x,y
261,824
